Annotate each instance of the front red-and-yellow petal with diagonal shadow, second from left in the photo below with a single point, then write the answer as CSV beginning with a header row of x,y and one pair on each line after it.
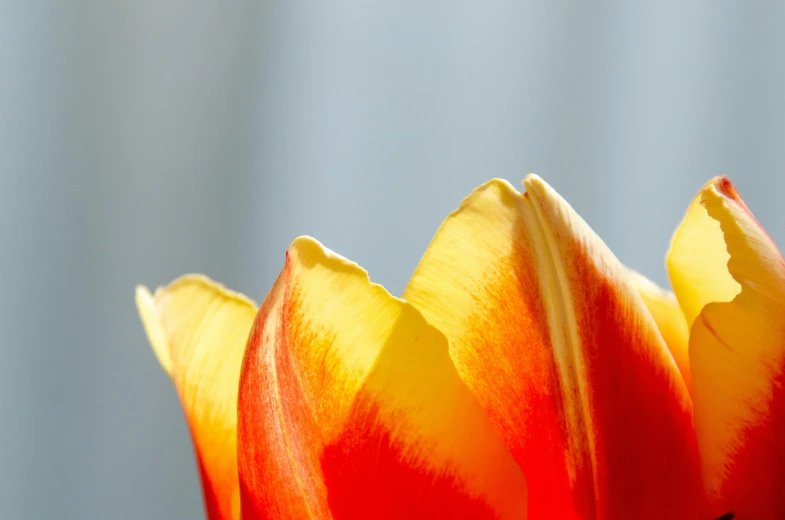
x,y
350,407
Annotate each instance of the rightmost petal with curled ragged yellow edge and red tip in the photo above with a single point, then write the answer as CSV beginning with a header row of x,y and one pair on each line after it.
x,y
737,351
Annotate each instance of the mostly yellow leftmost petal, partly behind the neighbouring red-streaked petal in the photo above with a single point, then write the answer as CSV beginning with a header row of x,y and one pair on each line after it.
x,y
198,330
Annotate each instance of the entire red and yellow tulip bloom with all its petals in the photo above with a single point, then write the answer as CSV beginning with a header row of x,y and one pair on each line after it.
x,y
525,373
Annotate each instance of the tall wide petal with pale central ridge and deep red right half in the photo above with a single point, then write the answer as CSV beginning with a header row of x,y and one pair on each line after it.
x,y
549,333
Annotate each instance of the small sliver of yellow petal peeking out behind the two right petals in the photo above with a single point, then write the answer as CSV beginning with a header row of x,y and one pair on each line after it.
x,y
665,310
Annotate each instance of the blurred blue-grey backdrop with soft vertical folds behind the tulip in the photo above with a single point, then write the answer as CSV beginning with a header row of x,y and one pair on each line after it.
x,y
141,140
